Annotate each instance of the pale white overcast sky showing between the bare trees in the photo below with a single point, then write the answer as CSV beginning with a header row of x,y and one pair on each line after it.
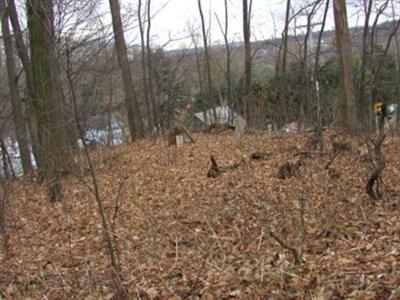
x,y
174,16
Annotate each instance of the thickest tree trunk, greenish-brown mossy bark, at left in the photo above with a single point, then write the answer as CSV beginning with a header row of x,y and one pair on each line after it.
x,y
53,145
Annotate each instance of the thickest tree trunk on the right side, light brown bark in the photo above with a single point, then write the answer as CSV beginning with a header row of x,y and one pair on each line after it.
x,y
344,52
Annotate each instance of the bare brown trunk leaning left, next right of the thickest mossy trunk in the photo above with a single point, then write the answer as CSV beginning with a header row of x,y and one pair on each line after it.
x,y
134,118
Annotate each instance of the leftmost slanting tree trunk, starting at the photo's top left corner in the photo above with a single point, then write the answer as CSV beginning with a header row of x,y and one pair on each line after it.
x,y
18,116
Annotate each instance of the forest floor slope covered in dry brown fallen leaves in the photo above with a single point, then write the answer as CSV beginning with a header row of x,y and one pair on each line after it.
x,y
180,234
